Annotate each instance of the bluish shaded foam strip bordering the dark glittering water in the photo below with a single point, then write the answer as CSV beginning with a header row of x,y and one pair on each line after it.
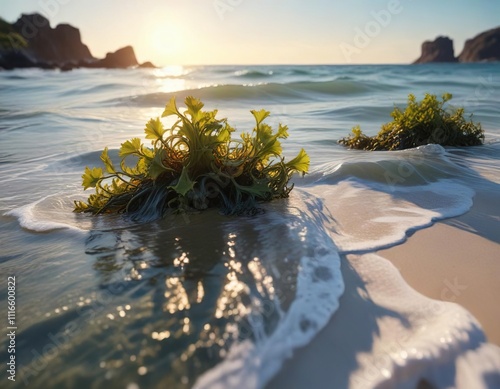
x,y
252,365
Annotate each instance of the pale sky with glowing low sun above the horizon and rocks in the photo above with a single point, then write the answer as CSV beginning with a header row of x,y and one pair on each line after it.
x,y
194,32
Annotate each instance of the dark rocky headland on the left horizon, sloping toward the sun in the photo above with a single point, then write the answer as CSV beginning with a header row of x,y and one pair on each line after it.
x,y
59,47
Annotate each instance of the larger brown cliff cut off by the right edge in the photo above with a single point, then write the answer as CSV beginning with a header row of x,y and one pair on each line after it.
x,y
483,47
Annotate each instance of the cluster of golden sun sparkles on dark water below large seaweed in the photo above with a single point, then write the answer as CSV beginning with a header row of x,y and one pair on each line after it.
x,y
238,306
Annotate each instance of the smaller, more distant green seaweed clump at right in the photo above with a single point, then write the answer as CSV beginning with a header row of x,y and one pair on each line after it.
x,y
421,123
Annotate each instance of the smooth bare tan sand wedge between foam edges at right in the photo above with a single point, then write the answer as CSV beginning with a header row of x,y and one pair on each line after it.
x,y
458,260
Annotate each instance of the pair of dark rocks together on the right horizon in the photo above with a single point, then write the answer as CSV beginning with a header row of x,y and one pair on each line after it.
x,y
483,47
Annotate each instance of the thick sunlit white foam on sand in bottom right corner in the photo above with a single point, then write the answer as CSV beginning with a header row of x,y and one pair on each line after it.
x,y
444,344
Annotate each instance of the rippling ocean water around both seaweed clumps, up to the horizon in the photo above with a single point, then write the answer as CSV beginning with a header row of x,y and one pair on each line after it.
x,y
205,300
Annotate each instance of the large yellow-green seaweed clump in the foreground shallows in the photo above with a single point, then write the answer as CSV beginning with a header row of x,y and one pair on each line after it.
x,y
193,165
